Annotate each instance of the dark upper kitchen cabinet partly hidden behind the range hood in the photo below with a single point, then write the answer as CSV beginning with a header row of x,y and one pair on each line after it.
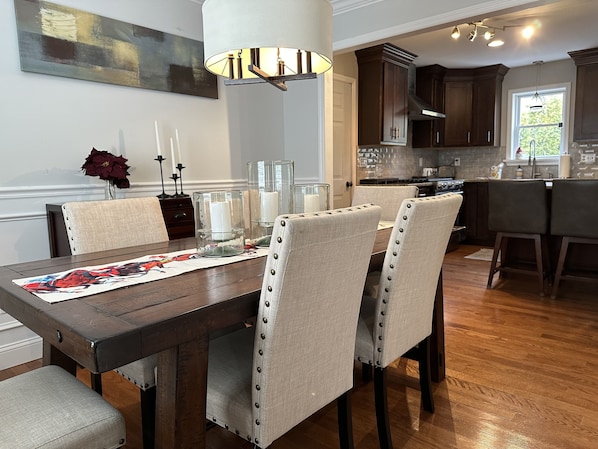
x,y
429,86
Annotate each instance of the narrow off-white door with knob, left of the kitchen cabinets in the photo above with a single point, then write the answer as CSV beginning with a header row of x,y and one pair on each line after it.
x,y
344,139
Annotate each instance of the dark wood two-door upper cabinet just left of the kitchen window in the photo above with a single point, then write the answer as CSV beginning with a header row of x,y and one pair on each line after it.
x,y
472,102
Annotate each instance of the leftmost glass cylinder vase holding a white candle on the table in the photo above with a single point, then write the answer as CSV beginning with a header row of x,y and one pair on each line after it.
x,y
219,223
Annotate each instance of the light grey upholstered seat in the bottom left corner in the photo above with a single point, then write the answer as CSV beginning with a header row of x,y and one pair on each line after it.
x,y
49,408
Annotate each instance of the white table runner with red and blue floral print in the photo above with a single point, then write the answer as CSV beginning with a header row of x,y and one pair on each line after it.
x,y
87,281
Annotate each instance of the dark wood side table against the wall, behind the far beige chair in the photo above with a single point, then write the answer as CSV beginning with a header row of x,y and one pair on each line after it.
x,y
178,217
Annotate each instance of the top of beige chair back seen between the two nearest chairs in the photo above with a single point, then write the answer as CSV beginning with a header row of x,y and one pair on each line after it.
x,y
389,198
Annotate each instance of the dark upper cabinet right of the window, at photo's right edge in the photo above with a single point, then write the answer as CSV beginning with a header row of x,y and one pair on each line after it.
x,y
585,123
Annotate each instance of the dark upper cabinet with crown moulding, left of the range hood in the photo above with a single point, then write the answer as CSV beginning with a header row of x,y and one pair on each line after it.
x,y
383,97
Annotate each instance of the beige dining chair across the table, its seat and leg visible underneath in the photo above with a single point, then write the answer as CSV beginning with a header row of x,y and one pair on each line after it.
x,y
104,225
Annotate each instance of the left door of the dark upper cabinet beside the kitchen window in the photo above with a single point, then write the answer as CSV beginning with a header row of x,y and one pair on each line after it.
x,y
458,104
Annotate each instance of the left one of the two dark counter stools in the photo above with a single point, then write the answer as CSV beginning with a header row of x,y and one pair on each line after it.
x,y
518,209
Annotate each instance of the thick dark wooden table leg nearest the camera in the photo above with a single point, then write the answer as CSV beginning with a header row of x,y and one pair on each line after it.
x,y
181,395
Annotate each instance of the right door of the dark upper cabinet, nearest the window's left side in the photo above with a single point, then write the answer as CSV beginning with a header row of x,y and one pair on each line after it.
x,y
485,114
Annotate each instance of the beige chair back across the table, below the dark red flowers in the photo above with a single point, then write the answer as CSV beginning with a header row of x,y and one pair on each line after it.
x,y
103,225
